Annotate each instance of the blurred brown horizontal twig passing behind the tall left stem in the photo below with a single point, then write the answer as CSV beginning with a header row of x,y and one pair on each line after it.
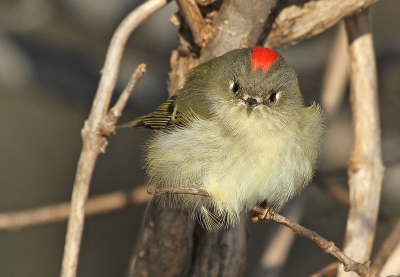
x,y
59,212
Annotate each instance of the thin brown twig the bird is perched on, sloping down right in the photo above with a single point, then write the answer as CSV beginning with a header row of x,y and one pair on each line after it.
x,y
328,246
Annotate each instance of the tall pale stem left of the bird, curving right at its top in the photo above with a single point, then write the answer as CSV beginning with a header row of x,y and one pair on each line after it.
x,y
93,142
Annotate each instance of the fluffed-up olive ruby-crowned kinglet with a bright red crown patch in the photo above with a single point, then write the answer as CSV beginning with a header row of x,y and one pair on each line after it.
x,y
238,129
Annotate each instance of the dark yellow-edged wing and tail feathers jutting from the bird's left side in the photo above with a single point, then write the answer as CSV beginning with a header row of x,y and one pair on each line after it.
x,y
165,116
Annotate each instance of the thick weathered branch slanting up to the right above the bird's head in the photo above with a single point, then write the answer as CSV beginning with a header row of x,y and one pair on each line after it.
x,y
294,23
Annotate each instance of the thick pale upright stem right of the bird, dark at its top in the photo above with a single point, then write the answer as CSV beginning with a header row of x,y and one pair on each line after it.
x,y
365,164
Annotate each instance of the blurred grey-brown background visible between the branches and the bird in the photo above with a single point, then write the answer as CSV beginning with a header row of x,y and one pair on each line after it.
x,y
51,53
